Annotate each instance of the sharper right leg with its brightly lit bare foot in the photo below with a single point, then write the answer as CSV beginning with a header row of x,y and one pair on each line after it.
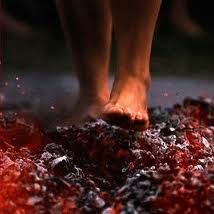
x,y
134,23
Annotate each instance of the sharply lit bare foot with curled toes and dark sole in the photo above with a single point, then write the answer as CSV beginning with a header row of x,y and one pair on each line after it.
x,y
128,104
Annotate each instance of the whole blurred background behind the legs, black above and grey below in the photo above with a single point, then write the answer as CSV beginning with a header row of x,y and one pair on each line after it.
x,y
180,65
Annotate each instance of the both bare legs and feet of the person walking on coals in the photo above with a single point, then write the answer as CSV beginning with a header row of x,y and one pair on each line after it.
x,y
88,31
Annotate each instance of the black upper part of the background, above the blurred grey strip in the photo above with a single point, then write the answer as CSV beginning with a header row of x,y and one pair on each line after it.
x,y
173,52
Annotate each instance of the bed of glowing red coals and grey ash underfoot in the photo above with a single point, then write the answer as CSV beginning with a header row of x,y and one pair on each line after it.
x,y
99,168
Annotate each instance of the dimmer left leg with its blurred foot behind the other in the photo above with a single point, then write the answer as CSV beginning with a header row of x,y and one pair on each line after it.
x,y
87,26
